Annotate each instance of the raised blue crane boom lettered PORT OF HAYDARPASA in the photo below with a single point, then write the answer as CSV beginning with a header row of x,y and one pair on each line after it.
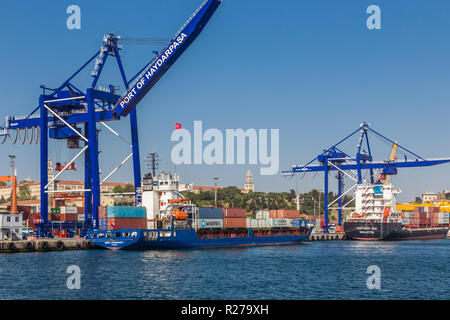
x,y
150,75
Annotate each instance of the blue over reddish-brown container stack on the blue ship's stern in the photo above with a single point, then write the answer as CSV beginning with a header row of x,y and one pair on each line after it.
x,y
126,218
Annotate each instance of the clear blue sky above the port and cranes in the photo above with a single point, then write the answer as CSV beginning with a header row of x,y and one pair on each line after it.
x,y
309,68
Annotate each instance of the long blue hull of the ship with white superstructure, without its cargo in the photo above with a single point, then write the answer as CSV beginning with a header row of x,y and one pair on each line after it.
x,y
143,239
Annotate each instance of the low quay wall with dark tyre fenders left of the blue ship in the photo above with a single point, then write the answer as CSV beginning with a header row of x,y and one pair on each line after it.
x,y
44,244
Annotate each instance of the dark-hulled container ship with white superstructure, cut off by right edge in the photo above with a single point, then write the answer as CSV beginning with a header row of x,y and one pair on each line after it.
x,y
376,217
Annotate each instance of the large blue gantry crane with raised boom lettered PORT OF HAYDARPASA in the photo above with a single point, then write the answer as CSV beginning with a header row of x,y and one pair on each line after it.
x,y
69,113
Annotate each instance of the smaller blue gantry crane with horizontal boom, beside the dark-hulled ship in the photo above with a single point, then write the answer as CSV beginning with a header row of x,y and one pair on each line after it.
x,y
334,159
